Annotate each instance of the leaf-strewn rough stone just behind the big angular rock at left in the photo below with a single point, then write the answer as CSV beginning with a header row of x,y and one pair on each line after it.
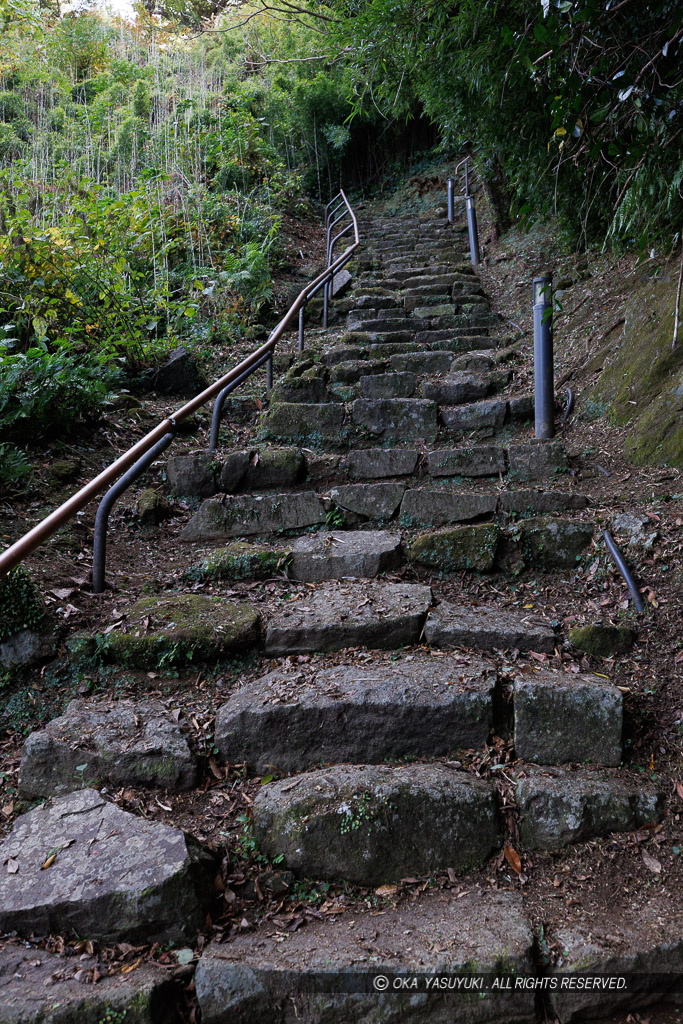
x,y
99,743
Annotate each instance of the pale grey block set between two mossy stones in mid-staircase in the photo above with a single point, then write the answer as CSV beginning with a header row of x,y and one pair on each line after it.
x,y
334,557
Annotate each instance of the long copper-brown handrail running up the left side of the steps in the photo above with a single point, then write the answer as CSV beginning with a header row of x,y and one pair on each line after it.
x,y
44,531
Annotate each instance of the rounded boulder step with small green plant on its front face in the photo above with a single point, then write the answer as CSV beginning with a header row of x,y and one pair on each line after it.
x,y
372,825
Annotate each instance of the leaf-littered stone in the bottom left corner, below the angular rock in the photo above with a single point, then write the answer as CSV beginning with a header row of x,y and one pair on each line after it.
x,y
39,988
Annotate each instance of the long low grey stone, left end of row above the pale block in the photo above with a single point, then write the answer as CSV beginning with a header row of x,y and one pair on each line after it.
x,y
245,516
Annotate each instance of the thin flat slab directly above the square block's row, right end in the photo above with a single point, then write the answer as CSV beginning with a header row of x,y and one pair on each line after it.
x,y
488,628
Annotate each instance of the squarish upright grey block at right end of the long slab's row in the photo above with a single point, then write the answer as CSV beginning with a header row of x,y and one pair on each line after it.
x,y
589,709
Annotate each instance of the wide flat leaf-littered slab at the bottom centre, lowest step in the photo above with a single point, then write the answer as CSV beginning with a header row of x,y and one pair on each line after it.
x,y
246,980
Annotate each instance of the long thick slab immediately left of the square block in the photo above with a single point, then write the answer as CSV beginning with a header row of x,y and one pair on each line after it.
x,y
294,719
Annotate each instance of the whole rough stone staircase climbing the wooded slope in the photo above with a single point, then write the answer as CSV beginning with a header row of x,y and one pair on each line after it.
x,y
392,458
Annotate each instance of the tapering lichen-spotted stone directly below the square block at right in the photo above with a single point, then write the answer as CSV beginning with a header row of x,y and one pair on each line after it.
x,y
560,807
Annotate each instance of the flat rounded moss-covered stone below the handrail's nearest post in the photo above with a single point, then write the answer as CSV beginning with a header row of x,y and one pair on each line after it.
x,y
177,629
